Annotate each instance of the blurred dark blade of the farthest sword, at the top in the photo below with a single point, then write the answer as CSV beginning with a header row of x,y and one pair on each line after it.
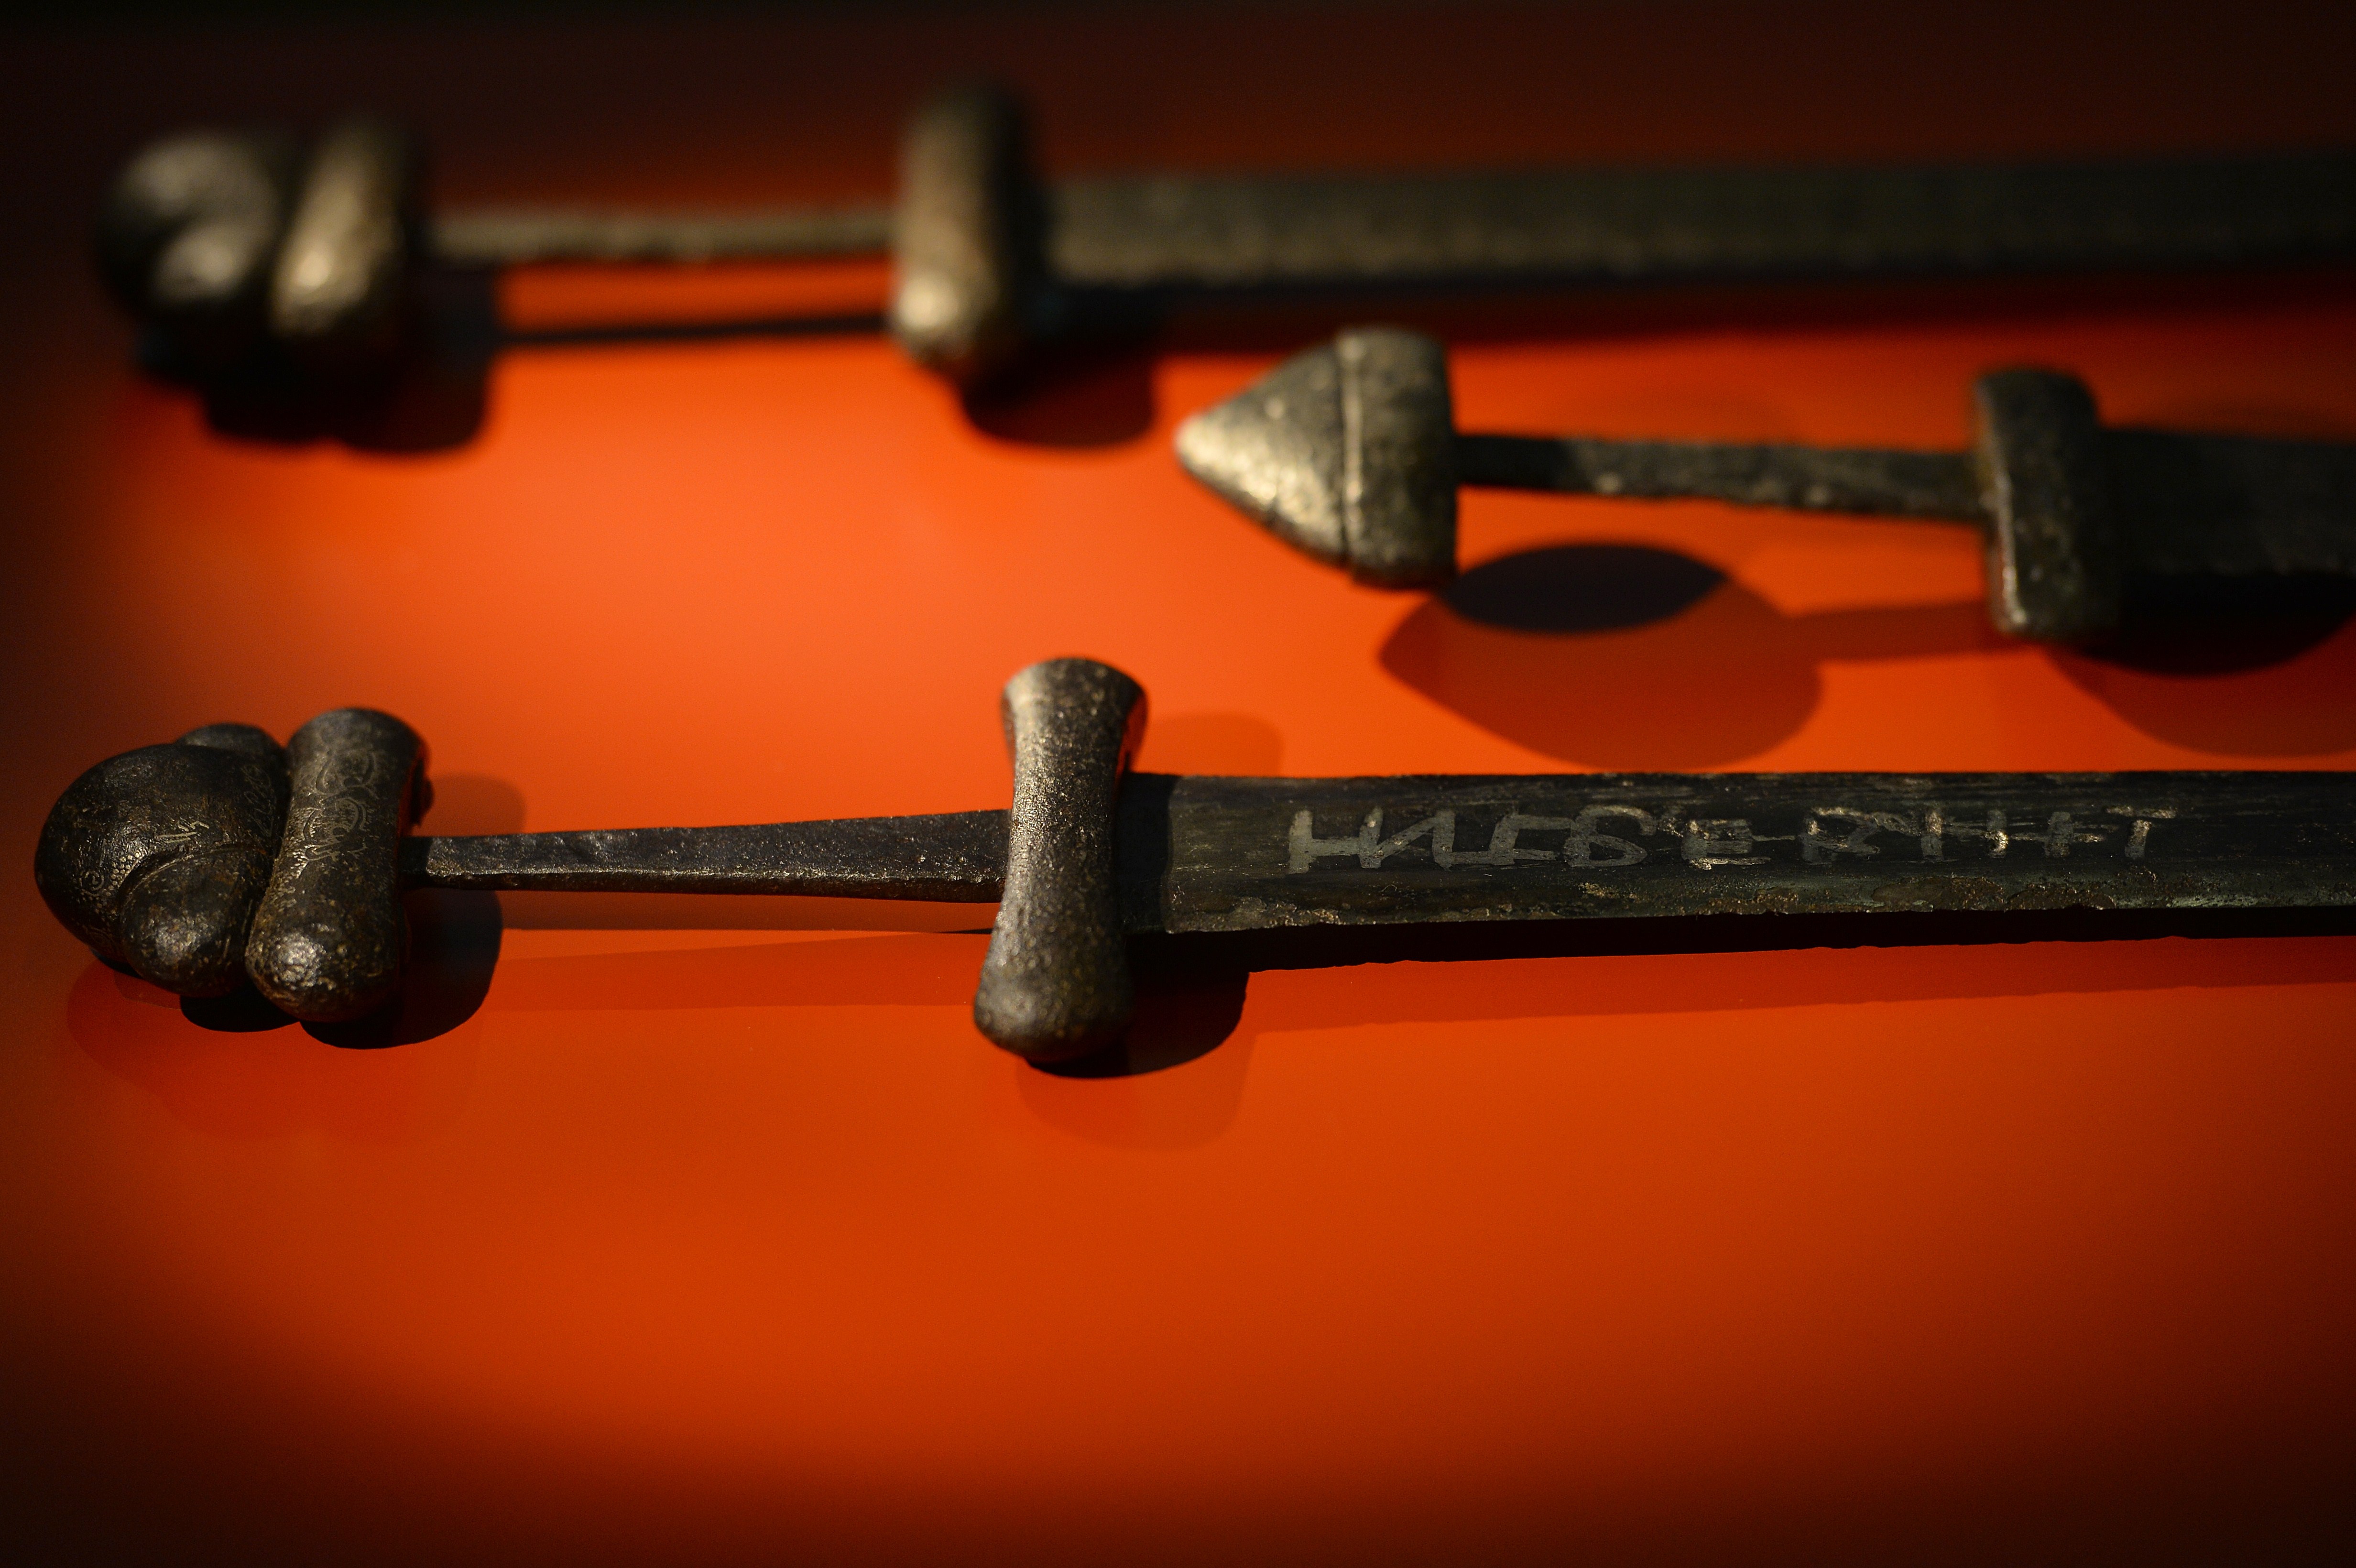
x,y
1697,225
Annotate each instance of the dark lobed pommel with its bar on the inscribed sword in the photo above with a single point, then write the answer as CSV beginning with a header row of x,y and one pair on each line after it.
x,y
225,858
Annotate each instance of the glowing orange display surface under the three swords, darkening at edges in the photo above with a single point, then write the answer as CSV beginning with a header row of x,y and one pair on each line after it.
x,y
710,1230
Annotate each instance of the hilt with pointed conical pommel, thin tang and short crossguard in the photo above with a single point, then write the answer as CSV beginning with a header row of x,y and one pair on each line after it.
x,y
1349,453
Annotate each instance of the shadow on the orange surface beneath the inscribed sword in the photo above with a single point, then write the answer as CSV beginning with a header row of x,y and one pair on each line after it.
x,y
1196,997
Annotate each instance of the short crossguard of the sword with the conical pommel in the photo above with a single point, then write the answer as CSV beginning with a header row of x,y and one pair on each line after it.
x,y
2046,479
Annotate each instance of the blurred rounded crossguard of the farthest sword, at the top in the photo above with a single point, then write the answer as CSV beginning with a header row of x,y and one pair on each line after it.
x,y
969,263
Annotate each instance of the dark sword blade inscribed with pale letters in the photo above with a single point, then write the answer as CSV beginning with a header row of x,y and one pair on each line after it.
x,y
1207,853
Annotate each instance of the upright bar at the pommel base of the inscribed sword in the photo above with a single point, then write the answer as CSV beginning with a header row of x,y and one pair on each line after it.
x,y
331,936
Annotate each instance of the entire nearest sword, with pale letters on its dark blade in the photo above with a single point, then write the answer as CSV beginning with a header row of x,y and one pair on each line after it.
x,y
223,858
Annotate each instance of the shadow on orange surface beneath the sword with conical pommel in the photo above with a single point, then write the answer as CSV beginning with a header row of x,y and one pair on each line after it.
x,y
1632,658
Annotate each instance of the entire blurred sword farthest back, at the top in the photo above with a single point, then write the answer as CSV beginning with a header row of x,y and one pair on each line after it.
x,y
251,244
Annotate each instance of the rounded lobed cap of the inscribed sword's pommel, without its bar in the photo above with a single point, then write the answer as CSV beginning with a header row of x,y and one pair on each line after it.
x,y
159,858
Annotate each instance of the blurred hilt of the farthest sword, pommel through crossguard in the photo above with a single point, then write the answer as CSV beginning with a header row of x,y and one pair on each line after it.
x,y
244,246
